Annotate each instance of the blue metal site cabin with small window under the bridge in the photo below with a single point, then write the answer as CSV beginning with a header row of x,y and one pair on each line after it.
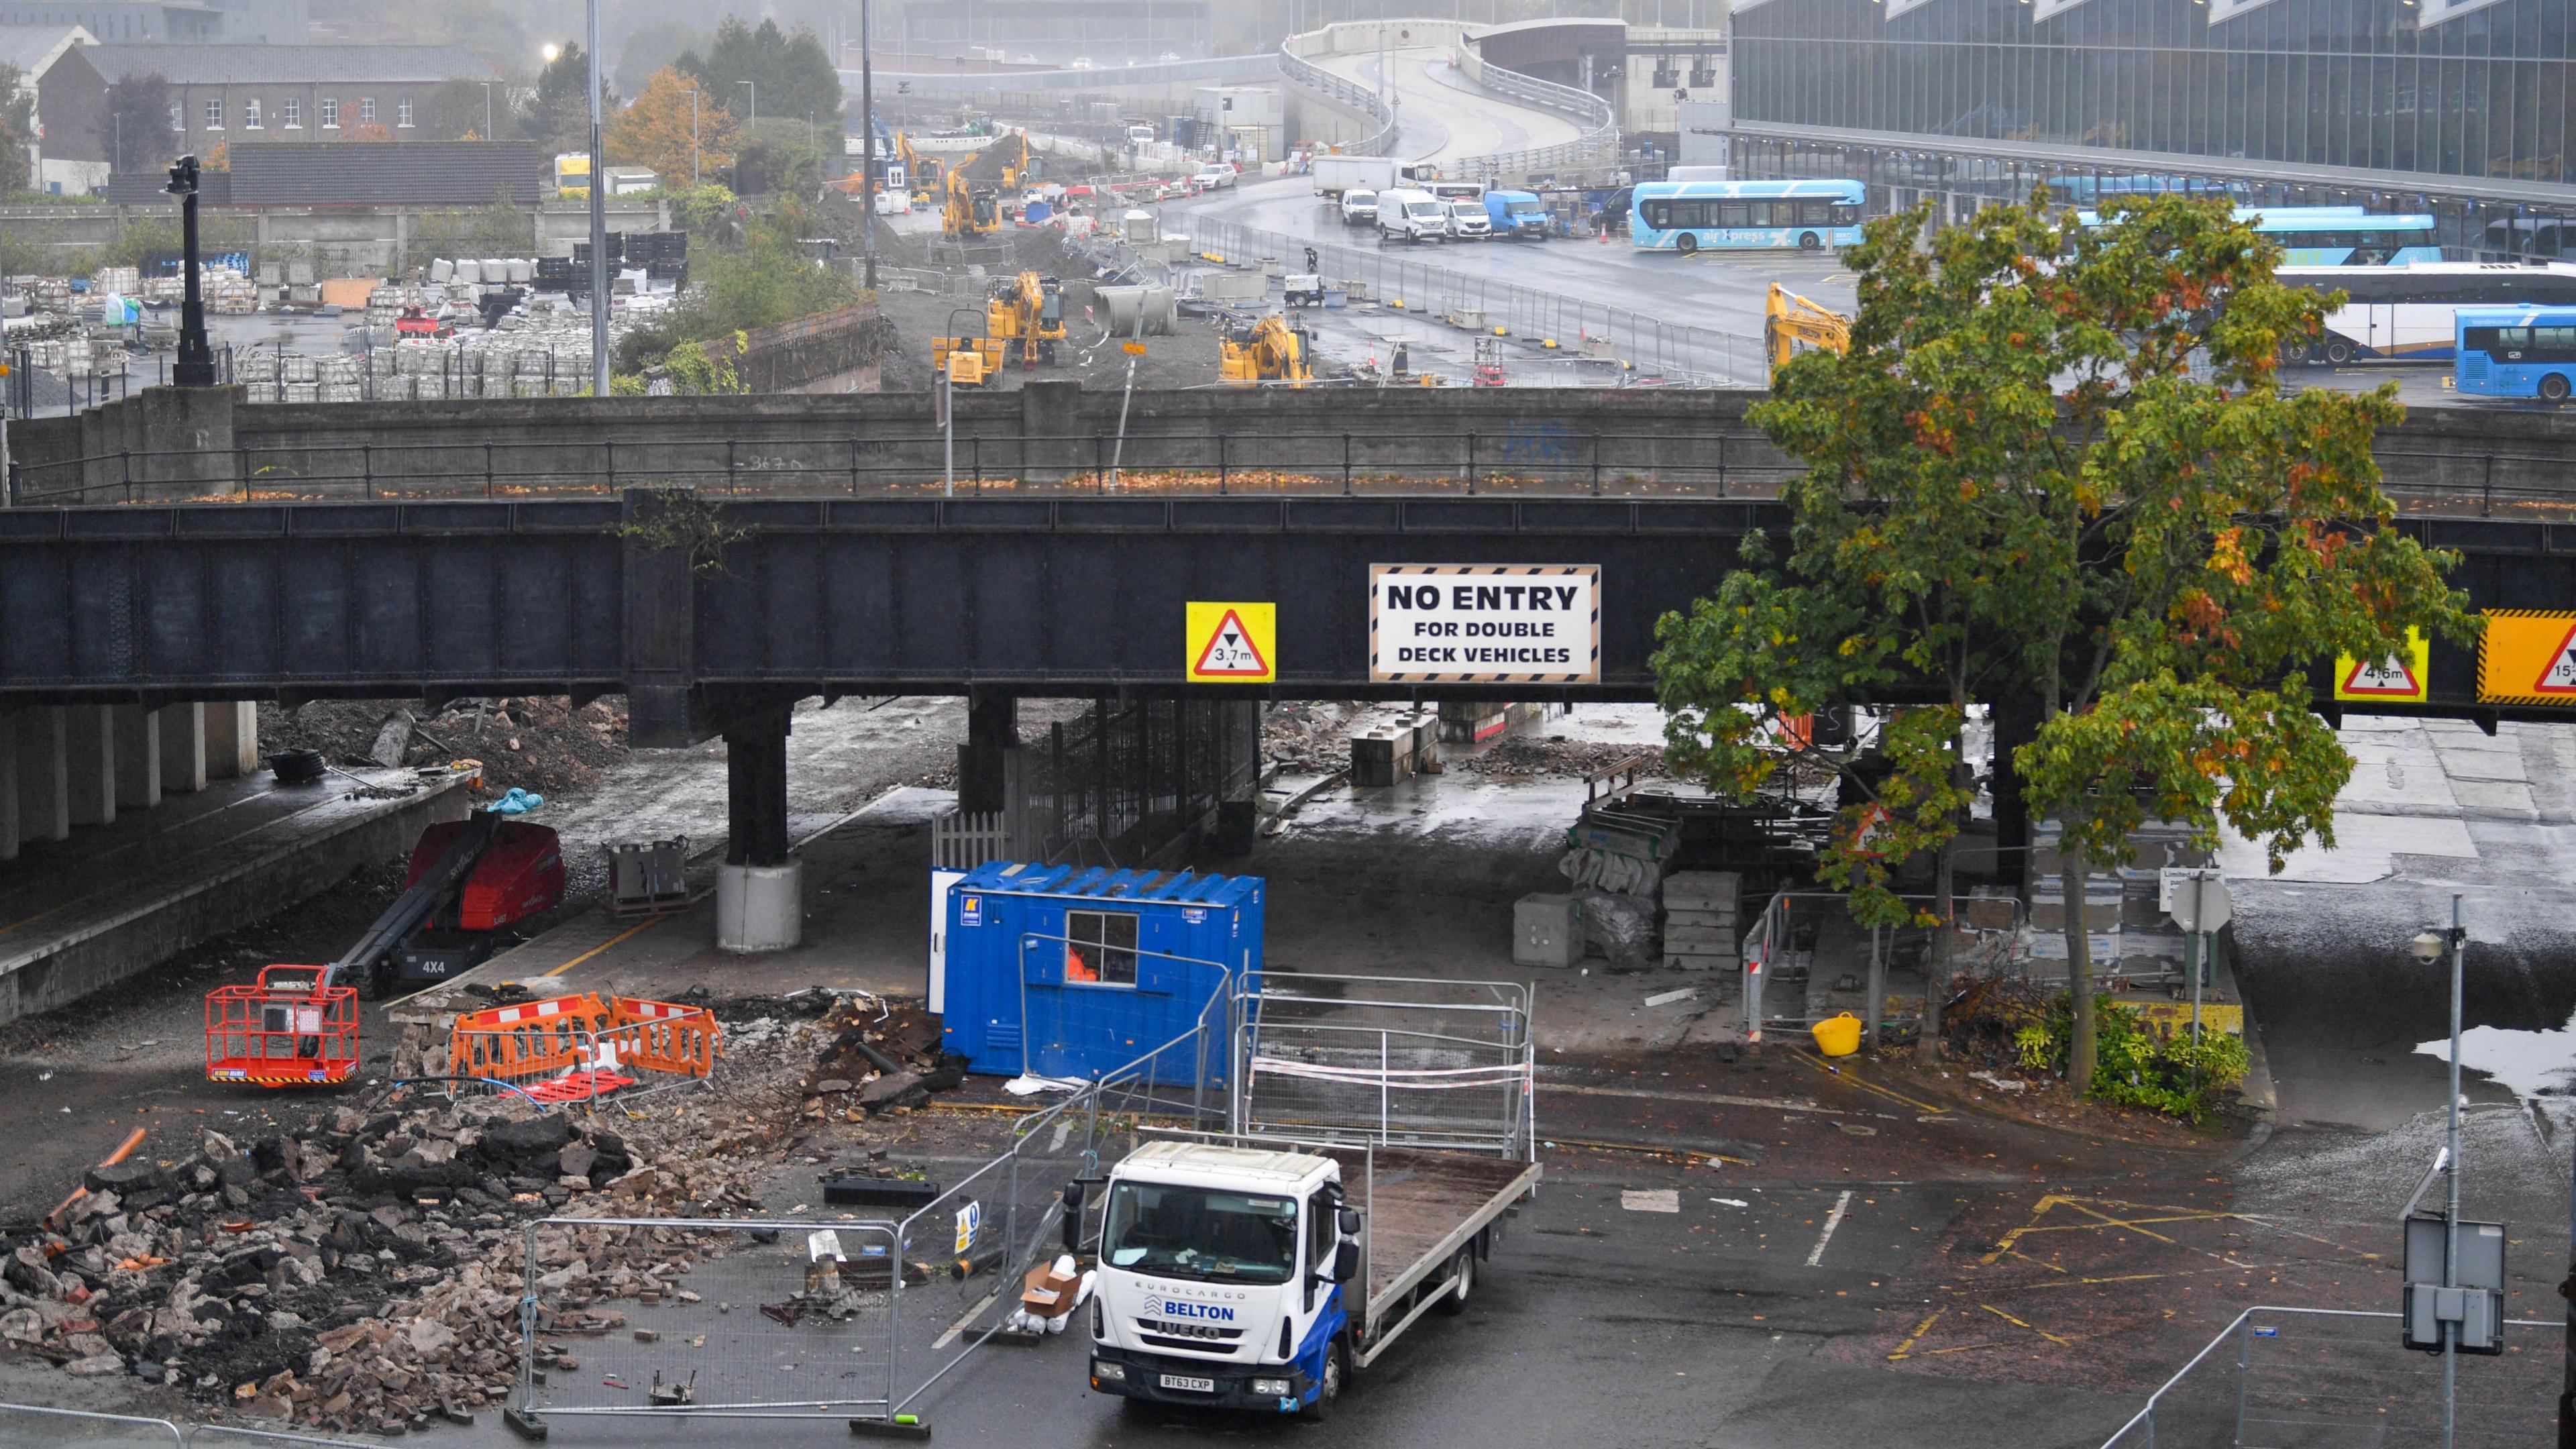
x,y
1094,968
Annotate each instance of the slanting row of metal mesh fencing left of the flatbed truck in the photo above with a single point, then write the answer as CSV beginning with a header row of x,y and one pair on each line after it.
x,y
1009,1216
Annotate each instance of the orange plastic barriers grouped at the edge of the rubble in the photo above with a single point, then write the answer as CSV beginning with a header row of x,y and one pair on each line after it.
x,y
581,1048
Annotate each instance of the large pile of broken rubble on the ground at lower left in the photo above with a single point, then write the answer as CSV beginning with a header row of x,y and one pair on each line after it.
x,y
365,1272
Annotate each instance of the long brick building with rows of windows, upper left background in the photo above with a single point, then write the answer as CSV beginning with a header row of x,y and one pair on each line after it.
x,y
241,97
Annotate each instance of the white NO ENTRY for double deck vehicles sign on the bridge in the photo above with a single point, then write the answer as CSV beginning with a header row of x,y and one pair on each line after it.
x,y
1485,623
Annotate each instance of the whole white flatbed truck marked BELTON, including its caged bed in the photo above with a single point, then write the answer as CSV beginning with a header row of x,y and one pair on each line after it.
x,y
1379,1143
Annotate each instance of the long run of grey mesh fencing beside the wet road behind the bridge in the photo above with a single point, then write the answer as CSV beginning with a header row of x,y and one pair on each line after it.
x,y
1637,344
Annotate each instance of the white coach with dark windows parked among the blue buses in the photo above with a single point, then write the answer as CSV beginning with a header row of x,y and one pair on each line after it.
x,y
2407,313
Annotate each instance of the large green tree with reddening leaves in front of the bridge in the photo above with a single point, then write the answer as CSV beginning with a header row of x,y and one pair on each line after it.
x,y
2057,465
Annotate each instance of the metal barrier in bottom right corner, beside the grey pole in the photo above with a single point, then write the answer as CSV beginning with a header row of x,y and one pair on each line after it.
x,y
2312,1376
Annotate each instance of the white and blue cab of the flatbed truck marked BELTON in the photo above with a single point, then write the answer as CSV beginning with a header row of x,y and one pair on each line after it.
x,y
1222,1280
